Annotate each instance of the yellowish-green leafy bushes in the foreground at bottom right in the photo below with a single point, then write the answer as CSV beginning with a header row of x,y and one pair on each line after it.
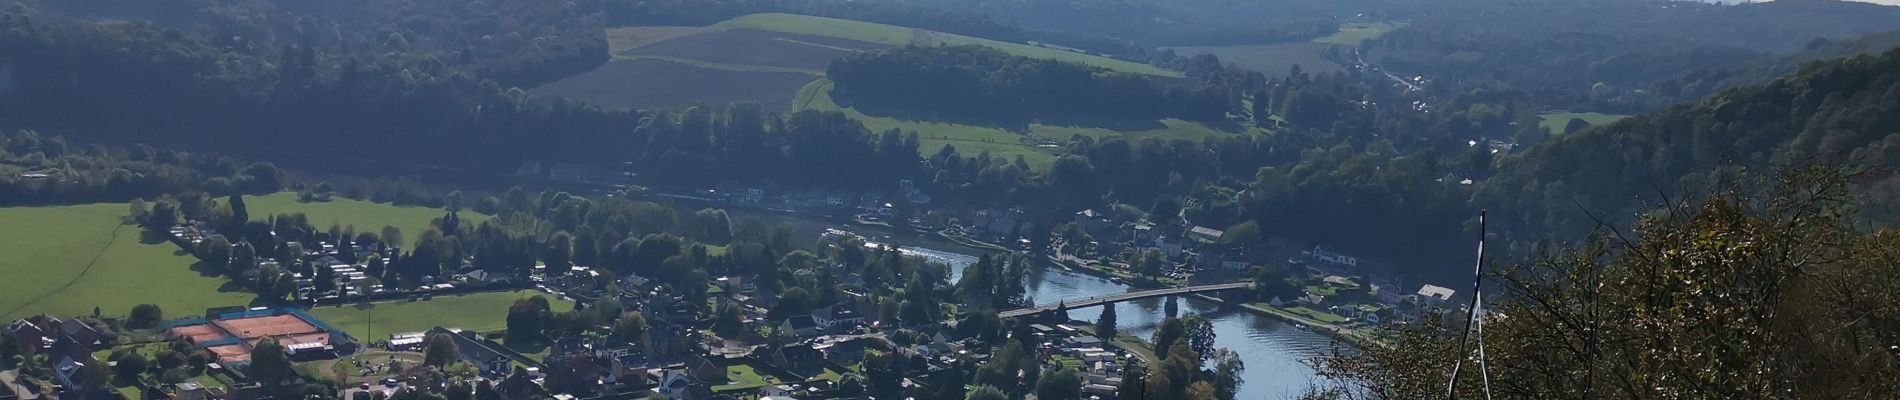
x,y
1745,295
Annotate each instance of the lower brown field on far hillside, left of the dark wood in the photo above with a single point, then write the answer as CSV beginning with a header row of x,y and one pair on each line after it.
x,y
668,84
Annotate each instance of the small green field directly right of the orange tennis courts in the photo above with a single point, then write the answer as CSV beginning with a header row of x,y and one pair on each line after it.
x,y
485,312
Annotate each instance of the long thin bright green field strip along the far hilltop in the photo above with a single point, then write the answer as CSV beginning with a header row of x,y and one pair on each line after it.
x,y
894,35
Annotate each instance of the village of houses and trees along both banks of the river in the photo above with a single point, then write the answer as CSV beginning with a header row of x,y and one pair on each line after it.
x,y
632,336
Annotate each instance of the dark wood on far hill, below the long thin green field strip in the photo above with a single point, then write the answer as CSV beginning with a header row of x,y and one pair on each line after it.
x,y
974,82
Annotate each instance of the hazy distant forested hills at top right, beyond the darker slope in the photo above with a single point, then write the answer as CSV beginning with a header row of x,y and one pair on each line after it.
x,y
1608,56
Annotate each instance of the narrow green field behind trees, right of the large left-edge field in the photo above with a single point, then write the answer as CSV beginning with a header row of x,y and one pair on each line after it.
x,y
364,215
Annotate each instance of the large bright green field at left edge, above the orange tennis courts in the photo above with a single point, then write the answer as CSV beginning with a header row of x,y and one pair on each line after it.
x,y
67,261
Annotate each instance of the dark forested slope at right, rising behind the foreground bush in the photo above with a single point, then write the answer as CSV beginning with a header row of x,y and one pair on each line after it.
x,y
1840,113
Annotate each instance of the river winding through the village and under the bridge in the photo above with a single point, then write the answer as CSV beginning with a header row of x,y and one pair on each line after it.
x,y
1274,352
